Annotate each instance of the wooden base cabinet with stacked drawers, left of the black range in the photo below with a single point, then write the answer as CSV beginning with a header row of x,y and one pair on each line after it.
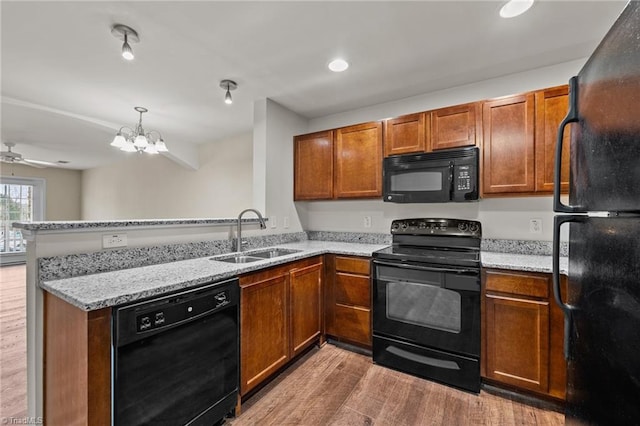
x,y
348,299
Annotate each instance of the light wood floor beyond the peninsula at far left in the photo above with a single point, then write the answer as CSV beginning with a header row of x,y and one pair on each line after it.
x,y
13,342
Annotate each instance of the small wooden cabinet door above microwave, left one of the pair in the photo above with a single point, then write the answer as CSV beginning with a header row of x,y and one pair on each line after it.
x,y
406,134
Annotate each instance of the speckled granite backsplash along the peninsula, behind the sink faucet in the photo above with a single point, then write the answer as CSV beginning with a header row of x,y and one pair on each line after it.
x,y
73,265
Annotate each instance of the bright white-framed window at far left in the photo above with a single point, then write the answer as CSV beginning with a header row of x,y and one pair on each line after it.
x,y
21,200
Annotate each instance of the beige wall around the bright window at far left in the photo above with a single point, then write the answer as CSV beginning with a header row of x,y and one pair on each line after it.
x,y
63,189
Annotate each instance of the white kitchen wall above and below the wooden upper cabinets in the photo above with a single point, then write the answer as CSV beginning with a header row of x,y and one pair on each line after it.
x,y
501,218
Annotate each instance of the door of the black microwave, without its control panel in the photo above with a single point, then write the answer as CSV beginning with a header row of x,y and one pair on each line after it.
x,y
408,179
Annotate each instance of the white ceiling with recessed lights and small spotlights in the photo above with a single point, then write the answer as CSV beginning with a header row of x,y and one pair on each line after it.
x,y
66,90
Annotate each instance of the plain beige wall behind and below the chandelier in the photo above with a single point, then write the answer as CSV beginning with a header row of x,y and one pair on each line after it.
x,y
148,187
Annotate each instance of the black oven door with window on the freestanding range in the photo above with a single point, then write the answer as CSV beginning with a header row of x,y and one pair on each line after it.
x,y
432,306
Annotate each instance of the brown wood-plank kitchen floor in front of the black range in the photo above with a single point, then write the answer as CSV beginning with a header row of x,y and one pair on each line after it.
x,y
332,386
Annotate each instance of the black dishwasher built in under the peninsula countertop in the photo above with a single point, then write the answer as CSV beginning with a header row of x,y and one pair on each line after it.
x,y
175,358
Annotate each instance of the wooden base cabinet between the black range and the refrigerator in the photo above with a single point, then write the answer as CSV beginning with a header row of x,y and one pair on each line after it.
x,y
522,332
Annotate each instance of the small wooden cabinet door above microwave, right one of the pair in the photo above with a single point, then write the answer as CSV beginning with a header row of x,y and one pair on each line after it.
x,y
453,127
